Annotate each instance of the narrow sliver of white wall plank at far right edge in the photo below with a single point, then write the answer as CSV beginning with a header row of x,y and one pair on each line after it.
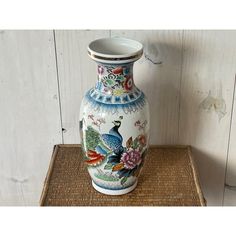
x,y
230,195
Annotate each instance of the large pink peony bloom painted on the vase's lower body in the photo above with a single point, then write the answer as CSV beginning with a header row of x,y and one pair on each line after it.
x,y
131,159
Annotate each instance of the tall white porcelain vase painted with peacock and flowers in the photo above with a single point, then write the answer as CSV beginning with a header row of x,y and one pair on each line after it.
x,y
114,118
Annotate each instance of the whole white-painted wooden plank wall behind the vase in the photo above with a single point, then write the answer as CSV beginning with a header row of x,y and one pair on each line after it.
x,y
188,76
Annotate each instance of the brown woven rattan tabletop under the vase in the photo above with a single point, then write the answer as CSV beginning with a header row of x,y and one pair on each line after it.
x,y
168,178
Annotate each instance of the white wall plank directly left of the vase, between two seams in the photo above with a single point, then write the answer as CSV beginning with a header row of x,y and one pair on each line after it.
x,y
77,73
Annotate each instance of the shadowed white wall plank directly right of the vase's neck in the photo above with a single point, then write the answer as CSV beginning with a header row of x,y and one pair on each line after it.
x,y
158,74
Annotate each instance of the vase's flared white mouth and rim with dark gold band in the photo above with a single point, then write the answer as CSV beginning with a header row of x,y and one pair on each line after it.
x,y
115,50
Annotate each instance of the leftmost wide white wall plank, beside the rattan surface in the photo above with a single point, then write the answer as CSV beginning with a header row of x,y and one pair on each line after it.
x,y
30,119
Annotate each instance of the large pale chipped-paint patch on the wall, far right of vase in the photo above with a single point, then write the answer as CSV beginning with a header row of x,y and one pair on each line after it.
x,y
216,104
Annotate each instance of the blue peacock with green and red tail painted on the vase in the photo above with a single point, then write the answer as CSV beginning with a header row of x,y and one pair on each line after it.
x,y
100,146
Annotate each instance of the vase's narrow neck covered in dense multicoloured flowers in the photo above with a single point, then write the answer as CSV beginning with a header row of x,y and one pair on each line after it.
x,y
115,79
